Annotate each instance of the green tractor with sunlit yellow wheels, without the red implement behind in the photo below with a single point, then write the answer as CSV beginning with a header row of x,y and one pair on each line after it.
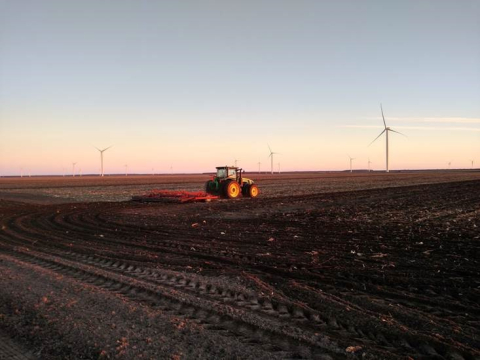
x,y
229,183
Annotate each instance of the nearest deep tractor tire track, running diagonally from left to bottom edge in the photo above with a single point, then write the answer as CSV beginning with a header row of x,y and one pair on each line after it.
x,y
213,315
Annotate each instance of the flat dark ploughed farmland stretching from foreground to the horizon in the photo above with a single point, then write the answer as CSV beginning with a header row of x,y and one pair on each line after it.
x,y
323,266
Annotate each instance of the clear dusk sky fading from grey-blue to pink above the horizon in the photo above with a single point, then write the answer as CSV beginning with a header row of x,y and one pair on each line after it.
x,y
185,86
